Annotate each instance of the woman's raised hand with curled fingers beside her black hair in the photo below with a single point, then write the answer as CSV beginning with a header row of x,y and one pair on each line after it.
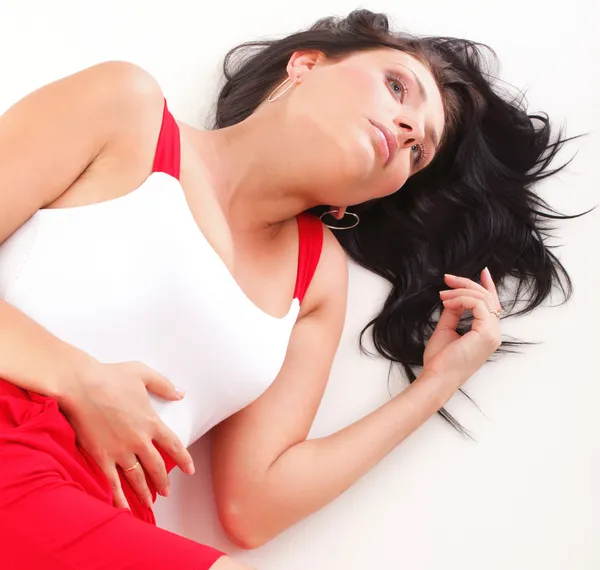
x,y
457,357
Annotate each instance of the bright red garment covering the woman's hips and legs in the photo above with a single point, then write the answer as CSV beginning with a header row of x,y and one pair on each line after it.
x,y
56,507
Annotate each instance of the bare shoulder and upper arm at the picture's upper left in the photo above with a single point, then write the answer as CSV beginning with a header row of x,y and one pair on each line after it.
x,y
74,125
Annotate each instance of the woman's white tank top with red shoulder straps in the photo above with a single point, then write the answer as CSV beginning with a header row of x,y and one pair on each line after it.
x,y
133,278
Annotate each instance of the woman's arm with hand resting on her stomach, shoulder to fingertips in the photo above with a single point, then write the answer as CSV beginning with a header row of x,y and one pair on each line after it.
x,y
47,141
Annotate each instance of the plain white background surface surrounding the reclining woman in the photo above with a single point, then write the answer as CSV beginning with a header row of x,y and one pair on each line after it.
x,y
526,495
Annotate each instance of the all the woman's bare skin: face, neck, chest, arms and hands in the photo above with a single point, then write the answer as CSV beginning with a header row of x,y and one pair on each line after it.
x,y
244,186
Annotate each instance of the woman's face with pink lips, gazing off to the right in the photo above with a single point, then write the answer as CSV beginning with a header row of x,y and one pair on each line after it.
x,y
361,125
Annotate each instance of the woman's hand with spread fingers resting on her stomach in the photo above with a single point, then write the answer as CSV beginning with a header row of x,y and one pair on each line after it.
x,y
109,409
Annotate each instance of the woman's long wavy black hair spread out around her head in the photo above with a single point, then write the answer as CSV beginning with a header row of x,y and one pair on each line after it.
x,y
473,207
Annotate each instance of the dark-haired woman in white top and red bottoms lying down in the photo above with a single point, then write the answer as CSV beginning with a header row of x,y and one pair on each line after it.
x,y
138,251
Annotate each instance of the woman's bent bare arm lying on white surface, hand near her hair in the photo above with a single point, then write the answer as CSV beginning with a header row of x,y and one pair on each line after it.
x,y
266,475
